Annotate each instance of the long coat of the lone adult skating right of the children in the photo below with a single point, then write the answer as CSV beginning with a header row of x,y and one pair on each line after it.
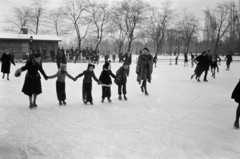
x,y
144,68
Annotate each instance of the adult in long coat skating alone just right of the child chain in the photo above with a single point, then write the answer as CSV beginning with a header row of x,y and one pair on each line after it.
x,y
144,69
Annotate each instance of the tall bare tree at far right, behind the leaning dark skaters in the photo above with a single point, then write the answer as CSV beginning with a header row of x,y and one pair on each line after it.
x,y
219,17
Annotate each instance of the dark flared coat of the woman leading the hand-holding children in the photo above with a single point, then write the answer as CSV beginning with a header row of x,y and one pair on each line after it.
x,y
32,84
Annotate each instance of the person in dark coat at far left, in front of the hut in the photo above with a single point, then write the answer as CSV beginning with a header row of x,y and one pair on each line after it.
x,y
6,63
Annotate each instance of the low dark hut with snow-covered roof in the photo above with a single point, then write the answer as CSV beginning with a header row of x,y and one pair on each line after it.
x,y
20,44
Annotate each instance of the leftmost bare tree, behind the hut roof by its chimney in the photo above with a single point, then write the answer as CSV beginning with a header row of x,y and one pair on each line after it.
x,y
19,20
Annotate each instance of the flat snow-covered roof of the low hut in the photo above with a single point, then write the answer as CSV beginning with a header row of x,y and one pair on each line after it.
x,y
27,37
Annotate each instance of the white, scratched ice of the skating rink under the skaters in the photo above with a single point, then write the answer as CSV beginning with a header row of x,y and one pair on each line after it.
x,y
180,119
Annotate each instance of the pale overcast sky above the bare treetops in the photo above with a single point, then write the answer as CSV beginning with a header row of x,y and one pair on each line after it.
x,y
195,6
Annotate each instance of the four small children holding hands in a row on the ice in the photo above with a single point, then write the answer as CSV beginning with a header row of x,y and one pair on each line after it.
x,y
105,80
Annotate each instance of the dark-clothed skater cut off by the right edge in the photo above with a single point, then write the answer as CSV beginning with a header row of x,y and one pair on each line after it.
x,y
236,97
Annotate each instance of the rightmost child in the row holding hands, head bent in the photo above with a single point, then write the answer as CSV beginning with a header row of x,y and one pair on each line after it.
x,y
121,80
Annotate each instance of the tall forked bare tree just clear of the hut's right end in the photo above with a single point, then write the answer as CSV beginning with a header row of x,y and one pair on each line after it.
x,y
75,11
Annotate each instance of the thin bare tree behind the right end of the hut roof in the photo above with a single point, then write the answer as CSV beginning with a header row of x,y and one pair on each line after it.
x,y
57,20
